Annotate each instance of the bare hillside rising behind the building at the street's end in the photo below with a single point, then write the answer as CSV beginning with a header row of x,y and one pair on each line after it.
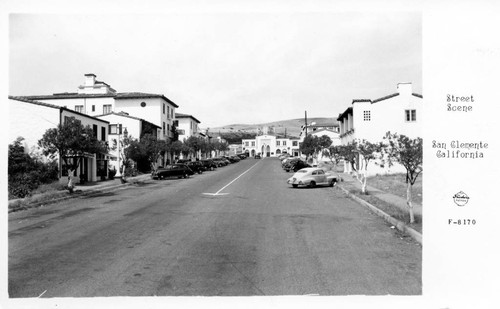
x,y
291,127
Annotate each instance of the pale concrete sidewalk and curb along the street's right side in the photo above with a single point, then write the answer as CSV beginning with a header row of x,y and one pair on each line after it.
x,y
386,197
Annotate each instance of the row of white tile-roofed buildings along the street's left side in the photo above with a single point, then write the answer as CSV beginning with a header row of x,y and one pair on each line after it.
x,y
111,114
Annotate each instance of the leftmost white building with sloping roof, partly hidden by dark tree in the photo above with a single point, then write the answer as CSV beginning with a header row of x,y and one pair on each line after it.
x,y
31,119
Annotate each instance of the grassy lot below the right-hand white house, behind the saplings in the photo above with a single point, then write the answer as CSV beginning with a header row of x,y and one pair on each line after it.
x,y
396,185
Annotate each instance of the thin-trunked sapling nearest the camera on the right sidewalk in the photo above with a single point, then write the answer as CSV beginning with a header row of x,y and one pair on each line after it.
x,y
407,152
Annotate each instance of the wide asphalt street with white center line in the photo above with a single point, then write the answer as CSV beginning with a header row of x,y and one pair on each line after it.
x,y
238,230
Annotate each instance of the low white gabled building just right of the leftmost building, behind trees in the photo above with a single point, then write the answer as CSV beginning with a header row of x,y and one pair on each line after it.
x,y
120,124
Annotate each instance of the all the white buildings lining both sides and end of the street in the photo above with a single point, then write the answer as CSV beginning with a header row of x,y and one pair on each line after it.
x,y
112,114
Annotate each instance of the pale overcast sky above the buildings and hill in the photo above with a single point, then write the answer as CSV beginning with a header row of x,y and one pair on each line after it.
x,y
223,68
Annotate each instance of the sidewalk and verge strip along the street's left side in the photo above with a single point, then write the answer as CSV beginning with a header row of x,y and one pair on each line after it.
x,y
80,190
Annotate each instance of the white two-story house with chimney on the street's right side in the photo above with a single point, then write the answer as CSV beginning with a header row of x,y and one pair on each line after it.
x,y
366,119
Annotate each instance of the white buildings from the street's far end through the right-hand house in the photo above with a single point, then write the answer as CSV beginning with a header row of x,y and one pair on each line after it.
x,y
365,119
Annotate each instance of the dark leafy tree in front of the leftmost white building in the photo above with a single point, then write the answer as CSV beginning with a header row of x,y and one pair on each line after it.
x,y
71,140
